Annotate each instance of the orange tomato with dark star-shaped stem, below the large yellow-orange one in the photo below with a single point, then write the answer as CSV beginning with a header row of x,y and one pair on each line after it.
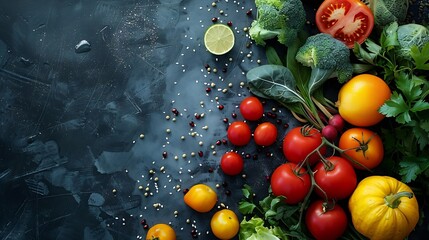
x,y
364,146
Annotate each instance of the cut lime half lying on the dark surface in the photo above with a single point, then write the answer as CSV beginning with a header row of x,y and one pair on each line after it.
x,y
219,39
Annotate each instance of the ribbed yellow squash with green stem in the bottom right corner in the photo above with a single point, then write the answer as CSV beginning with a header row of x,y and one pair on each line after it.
x,y
383,208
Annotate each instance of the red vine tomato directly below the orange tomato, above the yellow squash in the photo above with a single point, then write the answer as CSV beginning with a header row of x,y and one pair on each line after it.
x,y
337,178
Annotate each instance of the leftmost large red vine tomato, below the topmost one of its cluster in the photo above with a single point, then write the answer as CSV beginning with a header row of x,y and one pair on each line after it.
x,y
290,182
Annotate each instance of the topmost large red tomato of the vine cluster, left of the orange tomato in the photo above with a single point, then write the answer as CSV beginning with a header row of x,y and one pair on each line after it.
x,y
300,142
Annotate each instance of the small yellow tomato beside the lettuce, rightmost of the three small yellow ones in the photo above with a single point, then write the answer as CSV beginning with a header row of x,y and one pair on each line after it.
x,y
225,224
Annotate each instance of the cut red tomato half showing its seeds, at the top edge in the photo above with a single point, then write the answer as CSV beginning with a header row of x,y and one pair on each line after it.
x,y
349,21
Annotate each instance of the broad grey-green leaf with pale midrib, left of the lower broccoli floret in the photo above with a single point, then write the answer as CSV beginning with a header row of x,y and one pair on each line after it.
x,y
274,82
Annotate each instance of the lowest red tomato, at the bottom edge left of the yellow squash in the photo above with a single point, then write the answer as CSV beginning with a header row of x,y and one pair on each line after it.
x,y
326,222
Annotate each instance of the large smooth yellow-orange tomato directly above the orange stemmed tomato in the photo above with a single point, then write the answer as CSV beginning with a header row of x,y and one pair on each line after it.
x,y
360,99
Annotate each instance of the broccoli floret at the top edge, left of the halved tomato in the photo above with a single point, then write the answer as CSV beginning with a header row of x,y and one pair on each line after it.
x,y
277,18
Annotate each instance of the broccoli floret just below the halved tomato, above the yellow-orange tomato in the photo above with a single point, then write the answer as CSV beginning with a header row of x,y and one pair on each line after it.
x,y
327,57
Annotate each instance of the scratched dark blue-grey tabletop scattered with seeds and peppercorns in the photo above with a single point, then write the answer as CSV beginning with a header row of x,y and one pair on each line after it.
x,y
73,161
